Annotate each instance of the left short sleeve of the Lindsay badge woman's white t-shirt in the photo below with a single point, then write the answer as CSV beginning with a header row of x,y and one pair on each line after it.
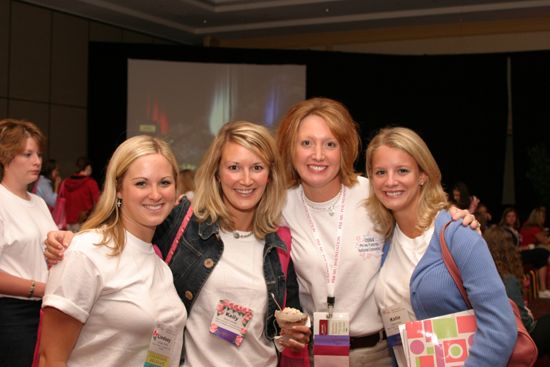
x,y
73,286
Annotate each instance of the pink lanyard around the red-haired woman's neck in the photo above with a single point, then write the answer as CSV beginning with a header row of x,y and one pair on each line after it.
x,y
331,273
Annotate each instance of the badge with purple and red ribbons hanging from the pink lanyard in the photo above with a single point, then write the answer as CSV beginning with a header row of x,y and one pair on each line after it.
x,y
331,341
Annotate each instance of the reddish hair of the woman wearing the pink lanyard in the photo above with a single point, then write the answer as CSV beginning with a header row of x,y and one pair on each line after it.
x,y
341,125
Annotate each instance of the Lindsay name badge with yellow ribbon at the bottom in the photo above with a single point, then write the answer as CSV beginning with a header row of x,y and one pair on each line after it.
x,y
161,345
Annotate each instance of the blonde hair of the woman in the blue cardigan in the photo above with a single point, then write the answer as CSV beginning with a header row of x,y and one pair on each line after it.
x,y
432,196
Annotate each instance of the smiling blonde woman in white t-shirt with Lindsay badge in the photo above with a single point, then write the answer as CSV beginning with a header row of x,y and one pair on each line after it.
x,y
112,298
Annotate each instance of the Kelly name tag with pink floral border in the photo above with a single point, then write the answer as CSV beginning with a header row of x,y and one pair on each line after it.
x,y
230,321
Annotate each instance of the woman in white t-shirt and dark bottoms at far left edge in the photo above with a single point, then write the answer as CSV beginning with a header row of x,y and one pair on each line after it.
x,y
25,221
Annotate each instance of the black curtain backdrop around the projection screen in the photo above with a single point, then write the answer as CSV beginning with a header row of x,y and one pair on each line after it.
x,y
457,103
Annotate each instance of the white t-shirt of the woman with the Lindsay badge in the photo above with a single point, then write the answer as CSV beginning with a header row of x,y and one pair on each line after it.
x,y
119,299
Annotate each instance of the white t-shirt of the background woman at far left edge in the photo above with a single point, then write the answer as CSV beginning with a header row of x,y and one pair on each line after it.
x,y
24,225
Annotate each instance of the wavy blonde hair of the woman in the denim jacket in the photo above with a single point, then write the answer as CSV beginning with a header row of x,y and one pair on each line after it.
x,y
208,201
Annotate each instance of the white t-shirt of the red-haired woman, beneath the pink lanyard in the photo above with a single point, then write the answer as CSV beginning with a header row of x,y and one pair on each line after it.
x,y
361,253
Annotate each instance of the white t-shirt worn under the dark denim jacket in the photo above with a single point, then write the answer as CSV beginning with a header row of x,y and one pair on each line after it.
x,y
238,277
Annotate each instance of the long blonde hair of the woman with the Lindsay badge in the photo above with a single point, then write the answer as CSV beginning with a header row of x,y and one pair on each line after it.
x,y
106,215
